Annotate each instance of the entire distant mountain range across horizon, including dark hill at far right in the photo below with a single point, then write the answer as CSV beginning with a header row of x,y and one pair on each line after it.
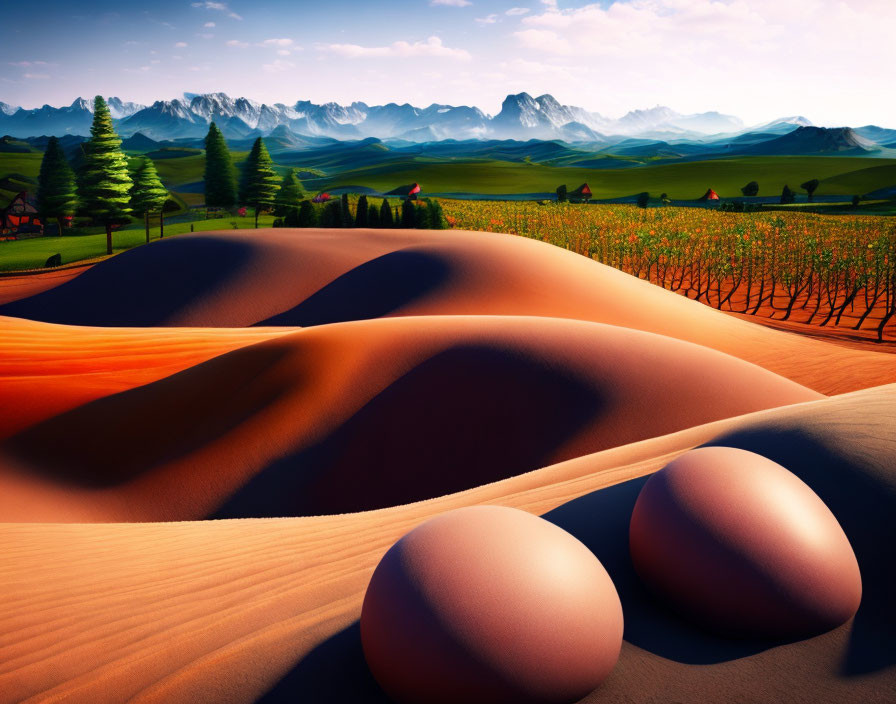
x,y
657,132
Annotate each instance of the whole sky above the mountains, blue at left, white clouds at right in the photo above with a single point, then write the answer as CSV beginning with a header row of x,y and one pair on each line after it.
x,y
829,60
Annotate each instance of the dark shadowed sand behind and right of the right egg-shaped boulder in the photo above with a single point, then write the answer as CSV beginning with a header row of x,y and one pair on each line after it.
x,y
860,489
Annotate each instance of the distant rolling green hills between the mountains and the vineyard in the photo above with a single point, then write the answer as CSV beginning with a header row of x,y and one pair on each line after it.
x,y
383,170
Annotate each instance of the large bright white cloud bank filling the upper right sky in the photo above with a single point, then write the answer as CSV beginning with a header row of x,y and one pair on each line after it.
x,y
756,58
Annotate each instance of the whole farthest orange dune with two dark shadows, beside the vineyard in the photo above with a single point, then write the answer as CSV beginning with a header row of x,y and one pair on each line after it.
x,y
311,277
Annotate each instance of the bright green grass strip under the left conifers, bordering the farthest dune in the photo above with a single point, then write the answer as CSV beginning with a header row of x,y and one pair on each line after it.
x,y
33,253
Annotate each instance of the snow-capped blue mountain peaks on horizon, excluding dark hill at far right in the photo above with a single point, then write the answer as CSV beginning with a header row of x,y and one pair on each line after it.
x,y
522,117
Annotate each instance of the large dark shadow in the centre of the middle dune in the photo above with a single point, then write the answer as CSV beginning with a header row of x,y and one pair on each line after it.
x,y
467,416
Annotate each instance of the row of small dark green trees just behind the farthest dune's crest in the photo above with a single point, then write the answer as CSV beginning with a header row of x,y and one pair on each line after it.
x,y
420,214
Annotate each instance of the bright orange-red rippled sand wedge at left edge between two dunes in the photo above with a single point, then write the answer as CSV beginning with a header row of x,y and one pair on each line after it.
x,y
48,369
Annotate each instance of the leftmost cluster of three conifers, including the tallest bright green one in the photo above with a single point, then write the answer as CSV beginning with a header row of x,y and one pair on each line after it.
x,y
101,186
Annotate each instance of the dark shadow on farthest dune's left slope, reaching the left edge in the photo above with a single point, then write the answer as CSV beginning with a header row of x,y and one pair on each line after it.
x,y
145,286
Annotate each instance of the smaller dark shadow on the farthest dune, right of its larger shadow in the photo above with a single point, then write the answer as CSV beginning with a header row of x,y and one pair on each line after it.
x,y
370,290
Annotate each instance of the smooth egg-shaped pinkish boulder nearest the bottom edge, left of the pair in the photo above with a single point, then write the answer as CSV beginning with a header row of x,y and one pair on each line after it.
x,y
490,605
